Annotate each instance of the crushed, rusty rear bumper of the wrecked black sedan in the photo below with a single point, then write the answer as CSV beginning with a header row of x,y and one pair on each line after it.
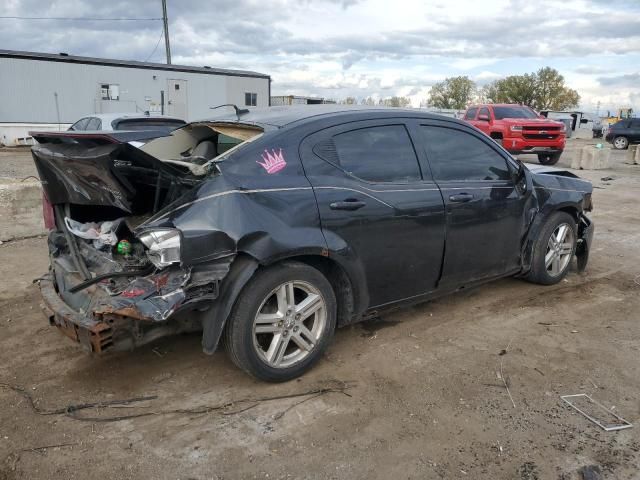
x,y
144,312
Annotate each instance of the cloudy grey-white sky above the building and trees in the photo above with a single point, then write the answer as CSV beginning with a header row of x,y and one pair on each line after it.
x,y
339,48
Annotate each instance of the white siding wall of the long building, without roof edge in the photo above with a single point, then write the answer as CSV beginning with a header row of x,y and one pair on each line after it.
x,y
27,89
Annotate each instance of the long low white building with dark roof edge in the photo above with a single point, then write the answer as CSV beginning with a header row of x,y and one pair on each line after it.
x,y
51,91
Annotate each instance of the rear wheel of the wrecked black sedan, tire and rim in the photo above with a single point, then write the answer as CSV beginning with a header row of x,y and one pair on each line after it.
x,y
282,322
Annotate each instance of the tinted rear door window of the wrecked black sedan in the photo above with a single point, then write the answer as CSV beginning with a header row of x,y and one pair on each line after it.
x,y
377,154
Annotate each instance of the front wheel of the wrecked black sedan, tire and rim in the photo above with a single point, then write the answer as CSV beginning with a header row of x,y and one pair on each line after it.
x,y
553,249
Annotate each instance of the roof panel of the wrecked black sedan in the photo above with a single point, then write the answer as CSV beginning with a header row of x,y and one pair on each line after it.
x,y
282,116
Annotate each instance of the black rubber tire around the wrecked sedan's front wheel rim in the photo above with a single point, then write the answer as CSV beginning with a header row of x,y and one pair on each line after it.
x,y
539,272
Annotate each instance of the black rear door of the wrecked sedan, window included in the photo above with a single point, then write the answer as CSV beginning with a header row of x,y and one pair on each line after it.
x,y
376,210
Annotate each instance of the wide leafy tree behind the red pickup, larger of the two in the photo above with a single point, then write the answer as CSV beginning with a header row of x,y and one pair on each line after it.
x,y
541,90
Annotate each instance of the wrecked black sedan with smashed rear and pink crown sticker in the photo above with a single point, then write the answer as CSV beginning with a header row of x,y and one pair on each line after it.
x,y
270,228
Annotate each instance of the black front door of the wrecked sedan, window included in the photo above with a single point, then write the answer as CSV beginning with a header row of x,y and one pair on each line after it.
x,y
486,216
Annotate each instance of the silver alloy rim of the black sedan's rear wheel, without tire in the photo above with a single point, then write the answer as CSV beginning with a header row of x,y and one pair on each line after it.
x,y
289,324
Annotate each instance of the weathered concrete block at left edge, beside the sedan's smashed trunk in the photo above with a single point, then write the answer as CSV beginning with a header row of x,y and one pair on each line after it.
x,y
20,210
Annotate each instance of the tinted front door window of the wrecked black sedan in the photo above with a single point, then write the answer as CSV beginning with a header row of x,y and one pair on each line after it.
x,y
457,155
